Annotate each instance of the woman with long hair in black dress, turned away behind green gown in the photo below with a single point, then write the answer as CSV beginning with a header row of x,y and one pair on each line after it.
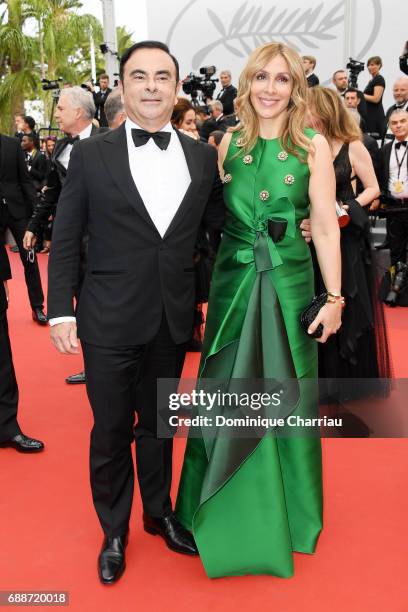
x,y
359,350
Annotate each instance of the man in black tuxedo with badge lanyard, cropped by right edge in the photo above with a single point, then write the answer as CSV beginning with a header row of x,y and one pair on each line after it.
x,y
394,185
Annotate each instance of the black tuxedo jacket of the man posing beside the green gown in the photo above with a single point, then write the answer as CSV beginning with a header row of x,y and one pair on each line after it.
x,y
132,273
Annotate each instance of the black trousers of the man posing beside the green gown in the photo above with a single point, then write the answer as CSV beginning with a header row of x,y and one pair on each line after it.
x,y
119,382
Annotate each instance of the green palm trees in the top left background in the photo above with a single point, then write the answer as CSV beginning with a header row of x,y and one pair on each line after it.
x,y
45,39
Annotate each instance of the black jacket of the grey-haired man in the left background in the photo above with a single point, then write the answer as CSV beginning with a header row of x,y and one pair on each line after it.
x,y
55,180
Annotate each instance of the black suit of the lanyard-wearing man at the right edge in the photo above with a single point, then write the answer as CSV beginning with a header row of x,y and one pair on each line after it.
x,y
397,223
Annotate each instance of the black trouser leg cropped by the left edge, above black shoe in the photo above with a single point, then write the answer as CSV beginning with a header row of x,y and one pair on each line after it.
x,y
8,386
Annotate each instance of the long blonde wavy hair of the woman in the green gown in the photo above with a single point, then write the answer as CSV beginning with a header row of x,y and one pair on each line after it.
x,y
293,134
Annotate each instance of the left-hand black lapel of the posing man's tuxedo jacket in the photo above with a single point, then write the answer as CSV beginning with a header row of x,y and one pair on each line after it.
x,y
116,159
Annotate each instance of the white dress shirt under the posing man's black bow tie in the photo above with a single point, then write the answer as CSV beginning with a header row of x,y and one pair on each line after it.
x,y
161,177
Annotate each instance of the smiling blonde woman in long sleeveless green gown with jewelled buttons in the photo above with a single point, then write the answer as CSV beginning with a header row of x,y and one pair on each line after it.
x,y
251,502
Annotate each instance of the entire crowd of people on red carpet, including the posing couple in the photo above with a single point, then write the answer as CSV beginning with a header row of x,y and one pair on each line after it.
x,y
143,228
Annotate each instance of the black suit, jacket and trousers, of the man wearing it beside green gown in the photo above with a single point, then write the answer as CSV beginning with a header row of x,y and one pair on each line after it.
x,y
135,311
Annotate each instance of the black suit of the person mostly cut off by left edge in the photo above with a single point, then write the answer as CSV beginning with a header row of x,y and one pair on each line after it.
x,y
8,384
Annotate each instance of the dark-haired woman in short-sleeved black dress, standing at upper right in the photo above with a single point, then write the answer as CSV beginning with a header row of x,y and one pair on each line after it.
x,y
373,95
